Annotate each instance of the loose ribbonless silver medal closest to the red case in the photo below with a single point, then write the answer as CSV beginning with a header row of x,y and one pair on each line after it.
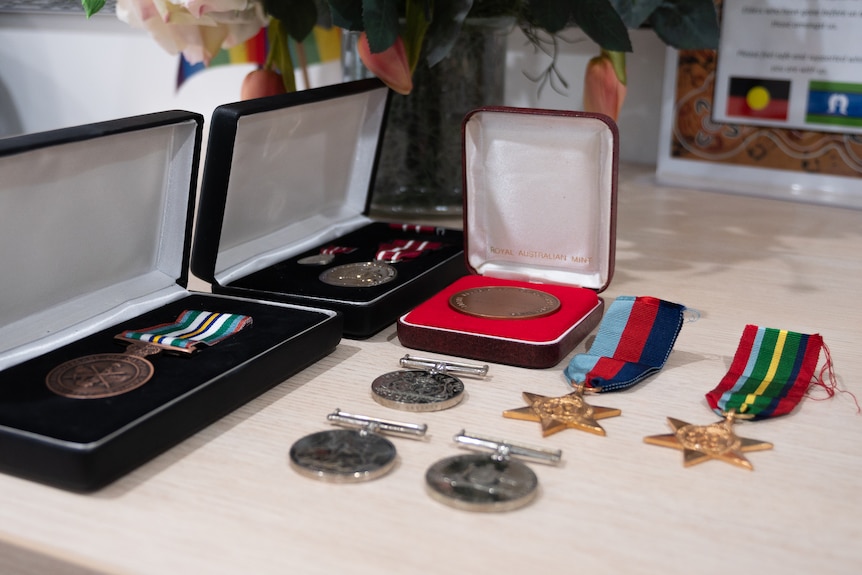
x,y
433,389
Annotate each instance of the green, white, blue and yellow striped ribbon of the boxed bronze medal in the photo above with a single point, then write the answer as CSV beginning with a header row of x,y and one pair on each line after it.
x,y
192,328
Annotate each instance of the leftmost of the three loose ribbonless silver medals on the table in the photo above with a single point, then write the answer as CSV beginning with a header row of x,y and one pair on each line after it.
x,y
350,455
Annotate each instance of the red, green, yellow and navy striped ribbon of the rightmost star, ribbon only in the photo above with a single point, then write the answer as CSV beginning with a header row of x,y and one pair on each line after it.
x,y
770,373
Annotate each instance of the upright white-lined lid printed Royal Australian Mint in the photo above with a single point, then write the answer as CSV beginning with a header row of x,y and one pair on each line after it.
x,y
539,194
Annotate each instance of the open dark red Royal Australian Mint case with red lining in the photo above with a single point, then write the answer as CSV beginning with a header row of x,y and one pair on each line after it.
x,y
539,213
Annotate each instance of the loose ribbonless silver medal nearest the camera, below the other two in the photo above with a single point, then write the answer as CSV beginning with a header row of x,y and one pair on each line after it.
x,y
487,482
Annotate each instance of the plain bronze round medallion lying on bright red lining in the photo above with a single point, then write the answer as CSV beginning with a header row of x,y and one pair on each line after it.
x,y
502,302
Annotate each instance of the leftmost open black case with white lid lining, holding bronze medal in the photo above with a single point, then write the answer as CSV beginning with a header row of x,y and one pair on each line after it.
x,y
95,239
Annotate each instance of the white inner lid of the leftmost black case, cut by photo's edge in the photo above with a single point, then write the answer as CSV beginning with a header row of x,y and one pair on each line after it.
x,y
93,233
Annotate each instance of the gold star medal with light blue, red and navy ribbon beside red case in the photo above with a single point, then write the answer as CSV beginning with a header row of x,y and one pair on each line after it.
x,y
634,340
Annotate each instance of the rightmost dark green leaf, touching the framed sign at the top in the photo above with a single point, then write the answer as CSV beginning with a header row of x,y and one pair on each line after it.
x,y
687,24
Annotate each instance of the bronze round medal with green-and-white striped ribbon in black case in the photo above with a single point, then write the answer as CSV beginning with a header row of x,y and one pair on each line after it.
x,y
109,374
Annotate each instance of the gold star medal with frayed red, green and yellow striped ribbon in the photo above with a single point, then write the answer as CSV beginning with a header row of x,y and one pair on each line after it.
x,y
769,375
